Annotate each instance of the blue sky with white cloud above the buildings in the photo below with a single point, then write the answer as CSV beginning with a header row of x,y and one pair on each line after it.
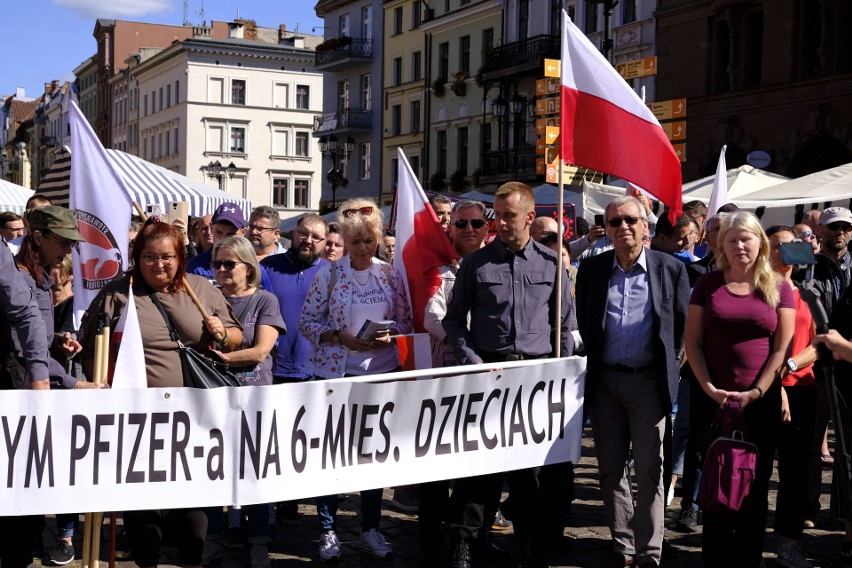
x,y
44,40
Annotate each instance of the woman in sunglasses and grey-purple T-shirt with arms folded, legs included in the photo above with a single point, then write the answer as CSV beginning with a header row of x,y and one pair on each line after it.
x,y
238,273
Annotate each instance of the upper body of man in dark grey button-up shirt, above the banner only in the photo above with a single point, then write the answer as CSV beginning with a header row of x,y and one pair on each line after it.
x,y
508,287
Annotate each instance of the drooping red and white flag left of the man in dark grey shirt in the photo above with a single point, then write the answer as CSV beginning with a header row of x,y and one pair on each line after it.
x,y
422,245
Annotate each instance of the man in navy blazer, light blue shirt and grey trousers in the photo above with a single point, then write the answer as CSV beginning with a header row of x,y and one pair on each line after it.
x,y
631,306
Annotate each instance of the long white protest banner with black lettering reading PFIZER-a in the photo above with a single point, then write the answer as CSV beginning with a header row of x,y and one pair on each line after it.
x,y
128,449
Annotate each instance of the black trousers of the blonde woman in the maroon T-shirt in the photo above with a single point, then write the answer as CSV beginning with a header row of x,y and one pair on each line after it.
x,y
737,542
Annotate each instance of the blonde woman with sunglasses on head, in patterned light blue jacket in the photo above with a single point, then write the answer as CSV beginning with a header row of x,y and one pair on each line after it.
x,y
342,297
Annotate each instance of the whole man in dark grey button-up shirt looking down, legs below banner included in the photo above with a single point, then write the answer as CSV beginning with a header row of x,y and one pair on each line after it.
x,y
509,289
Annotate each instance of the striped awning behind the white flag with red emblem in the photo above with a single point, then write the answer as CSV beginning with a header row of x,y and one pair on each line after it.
x,y
148,183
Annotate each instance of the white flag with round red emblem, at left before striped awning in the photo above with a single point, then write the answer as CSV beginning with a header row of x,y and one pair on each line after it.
x,y
103,214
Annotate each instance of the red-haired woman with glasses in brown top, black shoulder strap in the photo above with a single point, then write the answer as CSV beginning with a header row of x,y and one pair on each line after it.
x,y
159,267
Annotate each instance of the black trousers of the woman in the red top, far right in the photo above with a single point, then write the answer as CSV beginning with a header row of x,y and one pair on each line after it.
x,y
794,457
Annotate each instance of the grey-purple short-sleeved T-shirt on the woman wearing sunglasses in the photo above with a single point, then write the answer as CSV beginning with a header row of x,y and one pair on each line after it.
x,y
265,312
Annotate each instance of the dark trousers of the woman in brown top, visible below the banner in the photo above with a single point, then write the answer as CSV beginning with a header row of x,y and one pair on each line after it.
x,y
148,530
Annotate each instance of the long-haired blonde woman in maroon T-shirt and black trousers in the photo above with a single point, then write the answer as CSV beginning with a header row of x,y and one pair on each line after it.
x,y
738,334
